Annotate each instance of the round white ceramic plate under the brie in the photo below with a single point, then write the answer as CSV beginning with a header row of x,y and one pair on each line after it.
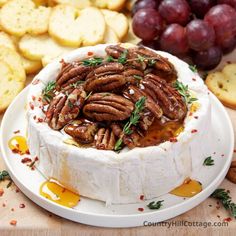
x,y
94,212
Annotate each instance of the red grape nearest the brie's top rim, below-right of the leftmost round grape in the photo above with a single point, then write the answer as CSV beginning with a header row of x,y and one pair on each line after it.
x,y
174,39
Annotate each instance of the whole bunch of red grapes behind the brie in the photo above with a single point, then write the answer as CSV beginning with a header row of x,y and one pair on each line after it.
x,y
202,30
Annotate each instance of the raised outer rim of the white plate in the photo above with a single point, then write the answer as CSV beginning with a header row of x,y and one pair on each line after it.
x,y
68,212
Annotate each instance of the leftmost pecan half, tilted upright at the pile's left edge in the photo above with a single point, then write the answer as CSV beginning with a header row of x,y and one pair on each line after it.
x,y
62,109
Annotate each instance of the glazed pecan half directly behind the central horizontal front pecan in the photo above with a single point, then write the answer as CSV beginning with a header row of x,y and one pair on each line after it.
x,y
106,77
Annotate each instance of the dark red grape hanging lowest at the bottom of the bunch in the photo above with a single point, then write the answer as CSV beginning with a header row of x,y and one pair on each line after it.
x,y
208,59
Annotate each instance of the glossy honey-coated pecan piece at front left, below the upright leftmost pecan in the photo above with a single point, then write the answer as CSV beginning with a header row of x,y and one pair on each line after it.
x,y
83,131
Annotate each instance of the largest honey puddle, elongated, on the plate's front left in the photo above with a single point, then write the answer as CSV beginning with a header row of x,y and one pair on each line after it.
x,y
58,194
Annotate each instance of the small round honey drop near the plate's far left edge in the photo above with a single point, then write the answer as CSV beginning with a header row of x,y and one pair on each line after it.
x,y
18,144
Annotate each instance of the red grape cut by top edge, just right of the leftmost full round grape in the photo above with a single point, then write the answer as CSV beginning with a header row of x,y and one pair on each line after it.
x,y
175,11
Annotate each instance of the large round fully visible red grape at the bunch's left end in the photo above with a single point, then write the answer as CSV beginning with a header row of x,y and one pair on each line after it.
x,y
147,24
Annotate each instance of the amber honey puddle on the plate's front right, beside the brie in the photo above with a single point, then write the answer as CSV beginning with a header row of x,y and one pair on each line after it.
x,y
188,189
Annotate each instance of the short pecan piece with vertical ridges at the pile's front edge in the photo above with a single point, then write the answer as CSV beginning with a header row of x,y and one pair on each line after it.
x,y
106,139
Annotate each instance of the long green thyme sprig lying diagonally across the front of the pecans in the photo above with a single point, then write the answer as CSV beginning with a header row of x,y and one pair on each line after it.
x,y
133,120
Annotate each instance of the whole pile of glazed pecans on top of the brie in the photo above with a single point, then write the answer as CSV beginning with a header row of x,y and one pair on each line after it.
x,y
93,102
